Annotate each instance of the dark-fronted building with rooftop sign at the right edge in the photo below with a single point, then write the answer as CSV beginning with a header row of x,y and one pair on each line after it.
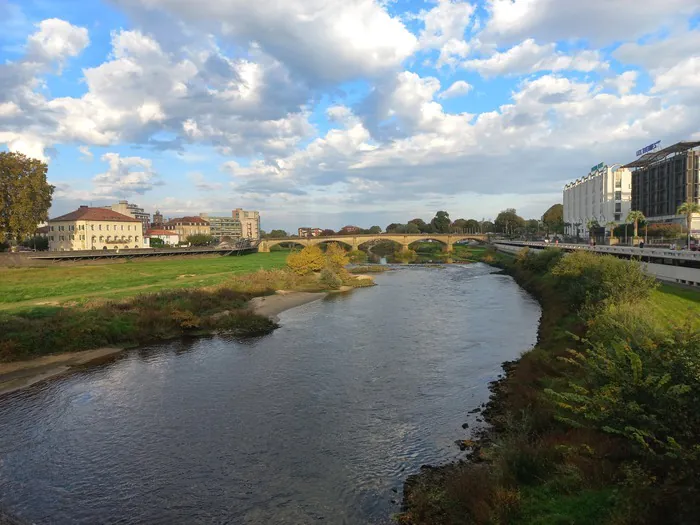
x,y
663,180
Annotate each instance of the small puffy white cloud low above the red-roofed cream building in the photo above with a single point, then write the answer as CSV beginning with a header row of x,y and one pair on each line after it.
x,y
126,176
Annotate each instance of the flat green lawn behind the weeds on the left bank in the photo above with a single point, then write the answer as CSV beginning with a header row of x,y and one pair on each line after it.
x,y
22,287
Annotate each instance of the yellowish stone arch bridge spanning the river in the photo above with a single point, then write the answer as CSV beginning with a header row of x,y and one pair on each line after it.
x,y
448,240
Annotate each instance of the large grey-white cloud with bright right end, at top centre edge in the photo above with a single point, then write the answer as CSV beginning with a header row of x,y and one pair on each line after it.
x,y
323,40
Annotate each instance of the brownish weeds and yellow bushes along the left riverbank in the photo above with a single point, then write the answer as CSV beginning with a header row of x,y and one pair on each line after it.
x,y
145,318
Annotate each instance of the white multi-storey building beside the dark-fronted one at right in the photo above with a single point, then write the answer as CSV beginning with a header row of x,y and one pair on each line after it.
x,y
604,195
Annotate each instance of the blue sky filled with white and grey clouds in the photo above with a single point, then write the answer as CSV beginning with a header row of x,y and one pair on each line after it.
x,y
332,112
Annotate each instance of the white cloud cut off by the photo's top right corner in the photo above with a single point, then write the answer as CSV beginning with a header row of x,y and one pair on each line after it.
x,y
600,21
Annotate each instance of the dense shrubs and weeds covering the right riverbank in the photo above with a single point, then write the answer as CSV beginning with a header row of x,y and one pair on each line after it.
x,y
598,424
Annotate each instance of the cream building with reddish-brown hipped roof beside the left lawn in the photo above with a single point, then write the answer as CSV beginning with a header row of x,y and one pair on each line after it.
x,y
95,229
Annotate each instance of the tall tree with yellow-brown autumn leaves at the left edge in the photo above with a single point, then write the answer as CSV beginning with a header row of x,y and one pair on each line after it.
x,y
25,195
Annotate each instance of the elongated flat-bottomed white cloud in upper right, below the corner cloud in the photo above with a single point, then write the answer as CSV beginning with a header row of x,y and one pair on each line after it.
x,y
530,57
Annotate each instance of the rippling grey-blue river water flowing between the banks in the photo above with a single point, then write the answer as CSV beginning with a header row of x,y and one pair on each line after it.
x,y
318,422
